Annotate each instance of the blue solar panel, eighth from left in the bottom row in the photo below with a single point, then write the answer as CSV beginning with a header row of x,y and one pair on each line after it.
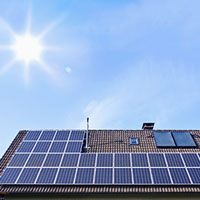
x,y
141,176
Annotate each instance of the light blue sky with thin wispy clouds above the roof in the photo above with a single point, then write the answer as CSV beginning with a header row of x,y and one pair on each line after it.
x,y
121,63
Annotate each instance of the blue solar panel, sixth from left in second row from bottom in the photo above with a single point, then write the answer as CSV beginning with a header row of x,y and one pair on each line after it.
x,y
105,160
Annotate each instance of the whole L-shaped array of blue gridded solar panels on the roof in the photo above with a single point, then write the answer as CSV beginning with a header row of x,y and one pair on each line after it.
x,y
54,157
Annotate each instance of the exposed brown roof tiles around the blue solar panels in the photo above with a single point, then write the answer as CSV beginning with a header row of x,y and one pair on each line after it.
x,y
109,141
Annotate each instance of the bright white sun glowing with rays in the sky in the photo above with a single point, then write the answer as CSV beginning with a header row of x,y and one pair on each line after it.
x,y
27,48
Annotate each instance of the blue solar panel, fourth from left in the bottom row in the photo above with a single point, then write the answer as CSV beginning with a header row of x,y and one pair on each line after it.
x,y
66,176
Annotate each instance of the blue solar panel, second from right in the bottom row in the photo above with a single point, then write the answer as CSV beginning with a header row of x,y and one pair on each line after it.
x,y
179,176
